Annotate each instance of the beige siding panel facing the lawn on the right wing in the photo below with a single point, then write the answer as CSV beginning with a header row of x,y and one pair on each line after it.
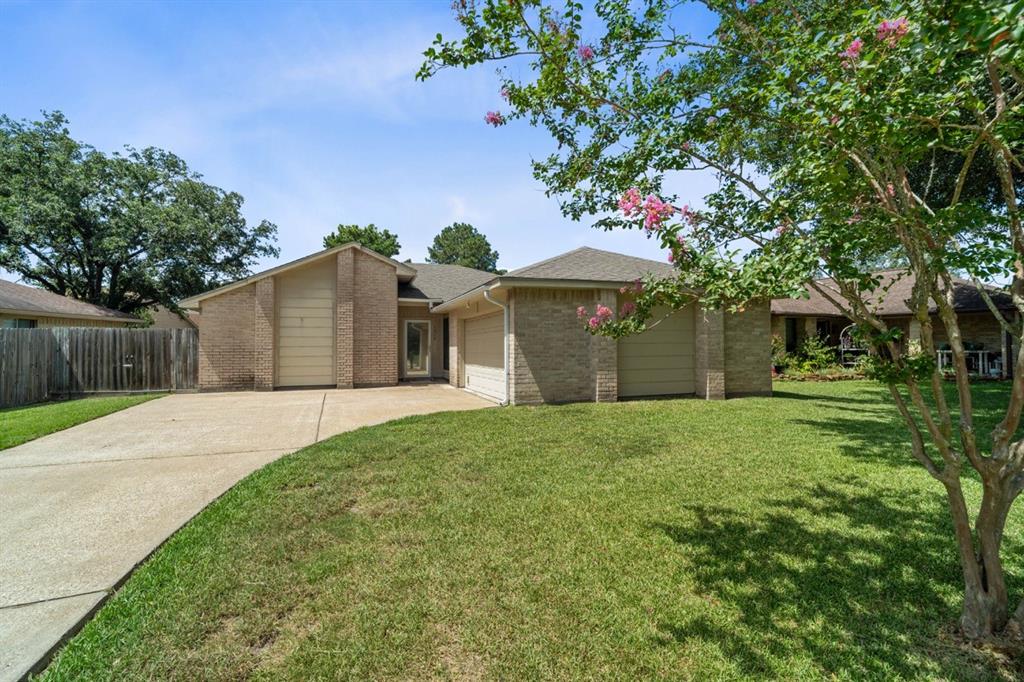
x,y
660,362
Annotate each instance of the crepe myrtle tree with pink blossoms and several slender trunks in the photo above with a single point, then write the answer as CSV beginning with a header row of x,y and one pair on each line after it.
x,y
840,134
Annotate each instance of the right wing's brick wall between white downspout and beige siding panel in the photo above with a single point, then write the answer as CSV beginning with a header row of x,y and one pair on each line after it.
x,y
553,359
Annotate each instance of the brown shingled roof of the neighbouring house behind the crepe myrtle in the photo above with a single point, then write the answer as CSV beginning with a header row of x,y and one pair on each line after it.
x,y
890,297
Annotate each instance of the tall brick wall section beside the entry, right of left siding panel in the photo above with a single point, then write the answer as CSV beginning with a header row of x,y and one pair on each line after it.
x,y
375,323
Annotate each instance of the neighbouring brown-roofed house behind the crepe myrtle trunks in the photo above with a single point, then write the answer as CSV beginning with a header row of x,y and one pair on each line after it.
x,y
991,349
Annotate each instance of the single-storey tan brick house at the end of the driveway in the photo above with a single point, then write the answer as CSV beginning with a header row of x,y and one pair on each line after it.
x,y
349,318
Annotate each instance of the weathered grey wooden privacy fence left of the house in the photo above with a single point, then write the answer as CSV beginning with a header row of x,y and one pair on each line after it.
x,y
41,364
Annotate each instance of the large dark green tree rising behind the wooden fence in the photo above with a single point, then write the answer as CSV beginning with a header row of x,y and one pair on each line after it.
x,y
125,231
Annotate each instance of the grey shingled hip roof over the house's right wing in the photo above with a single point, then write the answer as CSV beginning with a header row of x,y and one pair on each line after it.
x,y
587,265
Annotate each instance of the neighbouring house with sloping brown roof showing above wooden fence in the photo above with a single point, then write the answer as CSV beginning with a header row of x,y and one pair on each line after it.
x,y
25,308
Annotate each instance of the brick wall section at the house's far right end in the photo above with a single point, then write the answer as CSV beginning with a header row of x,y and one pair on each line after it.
x,y
748,352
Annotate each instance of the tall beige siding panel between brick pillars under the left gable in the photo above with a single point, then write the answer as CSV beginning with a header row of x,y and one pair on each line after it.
x,y
306,326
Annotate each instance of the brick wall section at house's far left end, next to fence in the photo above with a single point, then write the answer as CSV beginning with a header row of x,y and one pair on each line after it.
x,y
227,342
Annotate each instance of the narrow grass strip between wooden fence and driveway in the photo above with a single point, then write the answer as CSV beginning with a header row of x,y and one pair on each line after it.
x,y
20,425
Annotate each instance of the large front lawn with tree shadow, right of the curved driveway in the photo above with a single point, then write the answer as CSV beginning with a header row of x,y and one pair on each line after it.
x,y
765,538
